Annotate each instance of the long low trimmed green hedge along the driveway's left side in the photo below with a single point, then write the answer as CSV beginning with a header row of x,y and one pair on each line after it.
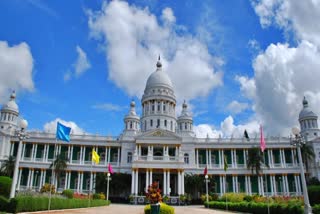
x,y
30,204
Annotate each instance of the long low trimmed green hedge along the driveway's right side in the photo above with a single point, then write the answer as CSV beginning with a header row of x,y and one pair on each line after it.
x,y
256,208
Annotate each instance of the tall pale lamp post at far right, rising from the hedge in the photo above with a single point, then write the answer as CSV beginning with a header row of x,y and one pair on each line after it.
x,y
298,141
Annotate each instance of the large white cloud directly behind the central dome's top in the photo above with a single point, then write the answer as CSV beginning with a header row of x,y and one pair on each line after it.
x,y
134,39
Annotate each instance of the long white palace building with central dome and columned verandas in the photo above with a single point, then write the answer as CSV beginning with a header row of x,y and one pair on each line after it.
x,y
159,146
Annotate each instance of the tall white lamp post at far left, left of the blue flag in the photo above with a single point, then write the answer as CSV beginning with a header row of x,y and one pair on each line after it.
x,y
22,135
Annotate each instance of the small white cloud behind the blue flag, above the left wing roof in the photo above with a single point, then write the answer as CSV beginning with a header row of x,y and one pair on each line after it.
x,y
51,126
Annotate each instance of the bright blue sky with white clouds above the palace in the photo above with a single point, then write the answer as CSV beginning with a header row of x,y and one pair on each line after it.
x,y
237,63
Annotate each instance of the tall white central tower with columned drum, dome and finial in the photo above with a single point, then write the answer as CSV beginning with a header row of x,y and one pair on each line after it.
x,y
158,102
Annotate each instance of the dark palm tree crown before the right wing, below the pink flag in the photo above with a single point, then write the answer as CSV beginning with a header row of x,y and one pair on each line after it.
x,y
255,160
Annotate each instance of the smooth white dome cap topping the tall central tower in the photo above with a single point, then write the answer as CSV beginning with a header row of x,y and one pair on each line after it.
x,y
159,78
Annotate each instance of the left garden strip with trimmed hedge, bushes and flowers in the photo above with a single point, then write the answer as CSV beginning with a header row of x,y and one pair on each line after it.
x,y
46,199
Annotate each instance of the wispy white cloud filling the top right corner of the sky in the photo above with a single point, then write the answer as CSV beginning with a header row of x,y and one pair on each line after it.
x,y
297,16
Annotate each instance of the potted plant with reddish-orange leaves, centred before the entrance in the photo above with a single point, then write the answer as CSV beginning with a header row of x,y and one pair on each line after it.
x,y
153,195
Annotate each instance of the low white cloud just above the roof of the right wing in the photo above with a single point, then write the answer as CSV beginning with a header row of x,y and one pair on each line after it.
x,y
227,129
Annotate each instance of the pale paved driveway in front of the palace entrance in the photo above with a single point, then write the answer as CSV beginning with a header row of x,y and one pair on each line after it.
x,y
136,209
